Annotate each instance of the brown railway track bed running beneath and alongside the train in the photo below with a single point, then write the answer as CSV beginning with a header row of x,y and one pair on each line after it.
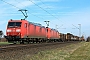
x,y
14,47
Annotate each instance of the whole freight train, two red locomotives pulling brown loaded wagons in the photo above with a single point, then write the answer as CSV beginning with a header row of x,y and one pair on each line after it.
x,y
25,31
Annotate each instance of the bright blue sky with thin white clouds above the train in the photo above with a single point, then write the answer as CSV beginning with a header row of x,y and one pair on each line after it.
x,y
67,16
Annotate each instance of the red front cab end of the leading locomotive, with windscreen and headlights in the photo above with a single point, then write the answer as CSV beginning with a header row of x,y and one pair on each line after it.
x,y
16,29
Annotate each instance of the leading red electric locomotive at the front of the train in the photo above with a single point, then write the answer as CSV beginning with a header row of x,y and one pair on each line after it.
x,y
22,30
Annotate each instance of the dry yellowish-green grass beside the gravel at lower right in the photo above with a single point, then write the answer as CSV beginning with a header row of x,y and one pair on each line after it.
x,y
79,51
